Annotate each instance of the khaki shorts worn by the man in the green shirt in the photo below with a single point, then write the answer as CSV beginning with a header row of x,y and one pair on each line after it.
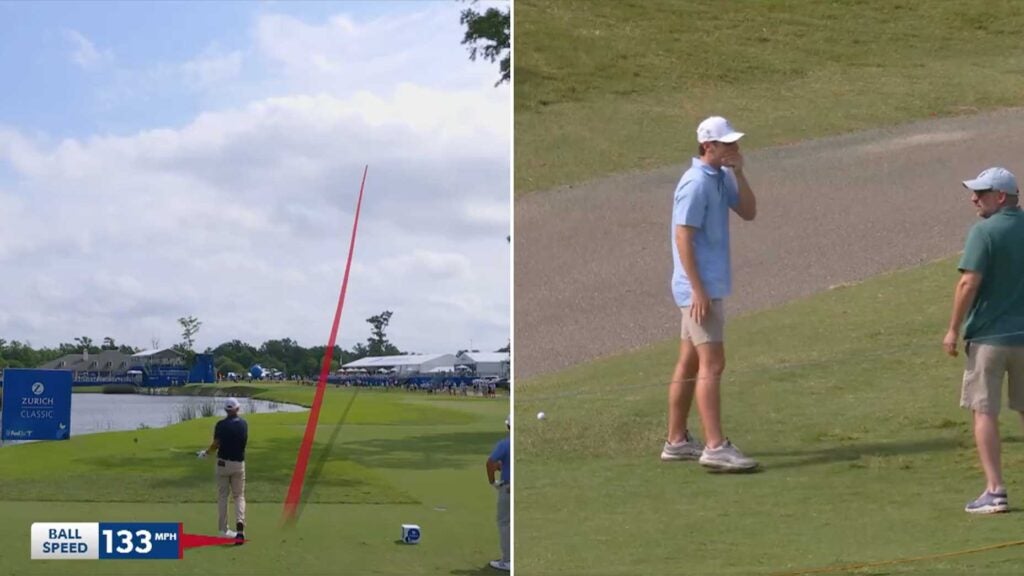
x,y
987,365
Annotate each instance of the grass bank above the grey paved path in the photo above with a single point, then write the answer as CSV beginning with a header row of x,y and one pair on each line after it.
x,y
607,88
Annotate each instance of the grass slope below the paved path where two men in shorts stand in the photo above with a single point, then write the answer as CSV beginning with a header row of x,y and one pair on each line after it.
x,y
847,400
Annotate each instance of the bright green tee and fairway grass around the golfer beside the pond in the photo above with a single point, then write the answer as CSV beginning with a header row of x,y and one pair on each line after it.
x,y
381,460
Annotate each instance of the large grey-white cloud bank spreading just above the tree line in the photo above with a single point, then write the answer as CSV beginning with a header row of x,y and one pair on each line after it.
x,y
242,218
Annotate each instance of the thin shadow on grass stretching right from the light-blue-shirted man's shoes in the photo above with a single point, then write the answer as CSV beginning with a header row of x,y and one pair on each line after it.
x,y
855,452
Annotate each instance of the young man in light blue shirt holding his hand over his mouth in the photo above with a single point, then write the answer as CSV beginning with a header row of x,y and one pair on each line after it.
x,y
702,279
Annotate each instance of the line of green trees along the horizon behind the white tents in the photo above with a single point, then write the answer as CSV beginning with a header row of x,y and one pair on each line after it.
x,y
285,355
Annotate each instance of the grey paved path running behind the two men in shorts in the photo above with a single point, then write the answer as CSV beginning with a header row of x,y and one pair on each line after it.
x,y
593,262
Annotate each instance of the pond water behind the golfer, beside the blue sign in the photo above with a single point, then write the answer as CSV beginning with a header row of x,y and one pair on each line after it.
x,y
92,414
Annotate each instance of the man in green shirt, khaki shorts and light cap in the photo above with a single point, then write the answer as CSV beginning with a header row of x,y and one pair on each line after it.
x,y
991,296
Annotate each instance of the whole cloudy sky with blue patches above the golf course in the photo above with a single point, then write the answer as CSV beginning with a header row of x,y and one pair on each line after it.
x,y
161,160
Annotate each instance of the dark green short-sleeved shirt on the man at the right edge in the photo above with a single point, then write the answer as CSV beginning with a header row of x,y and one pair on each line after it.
x,y
996,249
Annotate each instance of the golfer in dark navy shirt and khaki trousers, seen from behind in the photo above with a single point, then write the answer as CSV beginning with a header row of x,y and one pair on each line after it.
x,y
230,439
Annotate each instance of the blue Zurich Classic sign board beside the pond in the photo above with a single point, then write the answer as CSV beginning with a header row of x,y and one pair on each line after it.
x,y
36,404
